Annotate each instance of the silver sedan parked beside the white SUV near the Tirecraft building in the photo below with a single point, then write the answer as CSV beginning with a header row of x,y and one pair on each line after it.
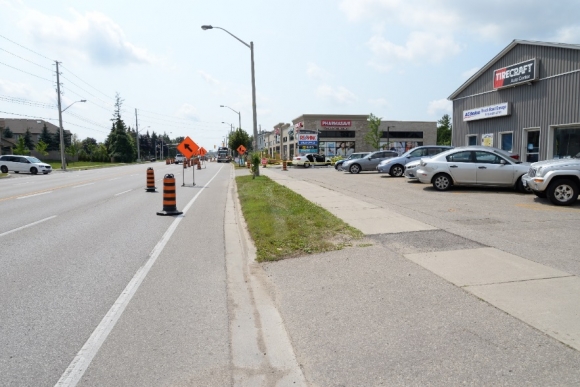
x,y
473,165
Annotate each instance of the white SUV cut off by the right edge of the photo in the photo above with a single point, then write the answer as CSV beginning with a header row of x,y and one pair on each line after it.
x,y
558,180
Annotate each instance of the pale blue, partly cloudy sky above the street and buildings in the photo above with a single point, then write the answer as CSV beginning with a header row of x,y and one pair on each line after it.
x,y
399,59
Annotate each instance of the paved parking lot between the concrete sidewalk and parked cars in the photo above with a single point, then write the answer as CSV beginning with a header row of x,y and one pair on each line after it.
x,y
520,224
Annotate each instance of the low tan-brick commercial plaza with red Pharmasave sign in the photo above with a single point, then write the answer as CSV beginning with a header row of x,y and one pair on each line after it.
x,y
341,135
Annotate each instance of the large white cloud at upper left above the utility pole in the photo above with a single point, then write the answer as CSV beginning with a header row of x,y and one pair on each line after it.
x,y
92,36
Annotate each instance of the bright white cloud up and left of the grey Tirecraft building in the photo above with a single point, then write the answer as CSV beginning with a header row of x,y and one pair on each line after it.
x,y
420,47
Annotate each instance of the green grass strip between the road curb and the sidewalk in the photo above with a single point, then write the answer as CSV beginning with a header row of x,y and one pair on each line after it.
x,y
283,224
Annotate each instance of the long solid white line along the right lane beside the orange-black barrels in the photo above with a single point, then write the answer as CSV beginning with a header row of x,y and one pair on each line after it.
x,y
84,357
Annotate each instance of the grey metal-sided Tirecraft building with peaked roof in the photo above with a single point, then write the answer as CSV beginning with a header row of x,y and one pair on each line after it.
x,y
526,100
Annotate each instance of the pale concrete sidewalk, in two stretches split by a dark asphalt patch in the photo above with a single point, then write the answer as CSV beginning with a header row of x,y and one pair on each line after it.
x,y
545,298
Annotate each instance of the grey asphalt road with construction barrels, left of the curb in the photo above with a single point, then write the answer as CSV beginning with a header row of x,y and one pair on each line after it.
x,y
70,245
